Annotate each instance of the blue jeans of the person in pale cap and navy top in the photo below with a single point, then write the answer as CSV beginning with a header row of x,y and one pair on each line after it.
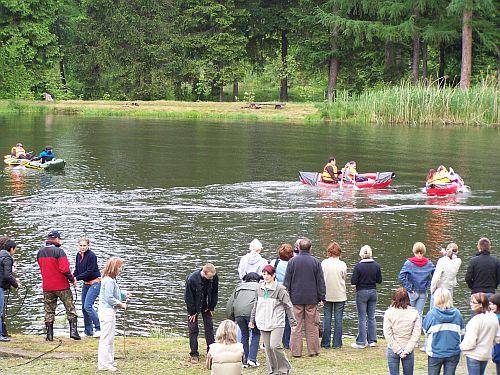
x,y
366,300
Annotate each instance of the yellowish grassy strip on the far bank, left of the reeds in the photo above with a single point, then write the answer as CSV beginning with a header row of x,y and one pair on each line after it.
x,y
292,112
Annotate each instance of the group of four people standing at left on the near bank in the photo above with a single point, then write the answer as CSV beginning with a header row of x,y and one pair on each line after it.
x,y
57,279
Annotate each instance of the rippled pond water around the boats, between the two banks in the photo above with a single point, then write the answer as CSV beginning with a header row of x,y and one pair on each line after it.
x,y
170,196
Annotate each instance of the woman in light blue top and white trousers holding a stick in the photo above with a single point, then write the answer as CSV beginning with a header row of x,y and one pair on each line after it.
x,y
110,299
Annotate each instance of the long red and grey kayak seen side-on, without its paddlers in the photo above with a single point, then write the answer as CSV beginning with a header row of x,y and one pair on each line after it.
x,y
377,180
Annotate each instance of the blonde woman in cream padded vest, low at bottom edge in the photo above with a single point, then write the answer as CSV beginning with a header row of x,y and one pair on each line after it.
x,y
225,354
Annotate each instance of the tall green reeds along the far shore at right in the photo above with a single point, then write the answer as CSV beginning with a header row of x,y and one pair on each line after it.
x,y
409,104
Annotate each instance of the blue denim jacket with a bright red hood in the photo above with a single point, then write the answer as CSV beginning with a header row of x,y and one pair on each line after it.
x,y
416,274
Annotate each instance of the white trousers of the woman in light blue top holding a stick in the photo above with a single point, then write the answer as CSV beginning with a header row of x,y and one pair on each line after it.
x,y
106,351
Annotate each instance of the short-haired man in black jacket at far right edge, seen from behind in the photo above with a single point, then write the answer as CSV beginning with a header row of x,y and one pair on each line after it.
x,y
483,272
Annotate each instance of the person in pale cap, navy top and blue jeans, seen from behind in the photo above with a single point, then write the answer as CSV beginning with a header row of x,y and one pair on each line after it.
x,y
365,276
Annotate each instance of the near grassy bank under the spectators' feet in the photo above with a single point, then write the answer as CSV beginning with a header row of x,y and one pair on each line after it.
x,y
170,356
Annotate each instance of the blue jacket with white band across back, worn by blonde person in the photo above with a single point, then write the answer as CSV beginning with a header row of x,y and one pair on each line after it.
x,y
445,330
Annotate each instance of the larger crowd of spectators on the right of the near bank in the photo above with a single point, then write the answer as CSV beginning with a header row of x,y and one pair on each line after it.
x,y
291,289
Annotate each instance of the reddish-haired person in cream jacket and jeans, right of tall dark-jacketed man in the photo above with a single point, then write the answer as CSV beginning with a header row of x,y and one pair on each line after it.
x,y
335,272
